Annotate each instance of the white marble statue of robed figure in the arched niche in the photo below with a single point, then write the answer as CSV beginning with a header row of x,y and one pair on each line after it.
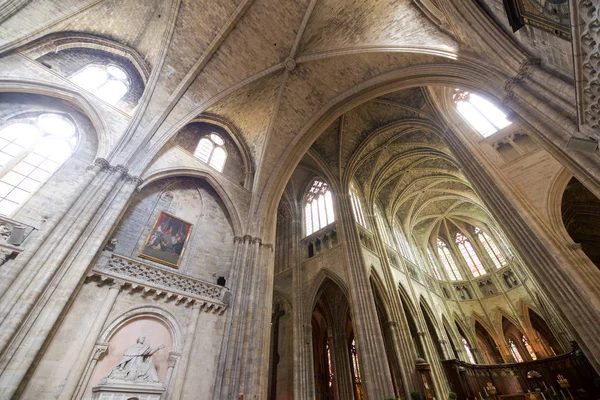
x,y
136,366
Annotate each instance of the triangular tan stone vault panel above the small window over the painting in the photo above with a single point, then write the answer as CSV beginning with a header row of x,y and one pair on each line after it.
x,y
250,109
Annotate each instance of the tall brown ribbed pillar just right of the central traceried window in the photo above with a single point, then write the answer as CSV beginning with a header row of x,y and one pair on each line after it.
x,y
376,375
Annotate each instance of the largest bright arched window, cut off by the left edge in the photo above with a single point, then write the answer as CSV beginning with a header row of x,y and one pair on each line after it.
x,y
30,152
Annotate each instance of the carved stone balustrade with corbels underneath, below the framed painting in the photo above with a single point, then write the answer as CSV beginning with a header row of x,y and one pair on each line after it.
x,y
153,280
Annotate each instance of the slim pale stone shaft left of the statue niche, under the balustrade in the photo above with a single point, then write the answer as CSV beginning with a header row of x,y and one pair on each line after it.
x,y
75,374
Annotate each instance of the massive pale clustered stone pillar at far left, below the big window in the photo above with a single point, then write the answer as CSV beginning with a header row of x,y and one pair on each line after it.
x,y
49,293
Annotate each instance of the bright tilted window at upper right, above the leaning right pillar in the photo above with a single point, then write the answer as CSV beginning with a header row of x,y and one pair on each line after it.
x,y
485,117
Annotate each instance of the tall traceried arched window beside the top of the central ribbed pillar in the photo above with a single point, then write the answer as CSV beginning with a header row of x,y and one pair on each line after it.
x,y
318,211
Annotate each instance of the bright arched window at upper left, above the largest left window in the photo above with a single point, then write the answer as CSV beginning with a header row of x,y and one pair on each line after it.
x,y
109,82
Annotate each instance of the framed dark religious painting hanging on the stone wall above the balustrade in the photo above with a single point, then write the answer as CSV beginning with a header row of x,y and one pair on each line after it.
x,y
167,240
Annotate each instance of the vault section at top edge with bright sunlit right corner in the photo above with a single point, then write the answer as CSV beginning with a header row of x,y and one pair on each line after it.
x,y
336,24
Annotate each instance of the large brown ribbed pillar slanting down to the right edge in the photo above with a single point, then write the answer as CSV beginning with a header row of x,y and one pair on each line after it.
x,y
575,299
